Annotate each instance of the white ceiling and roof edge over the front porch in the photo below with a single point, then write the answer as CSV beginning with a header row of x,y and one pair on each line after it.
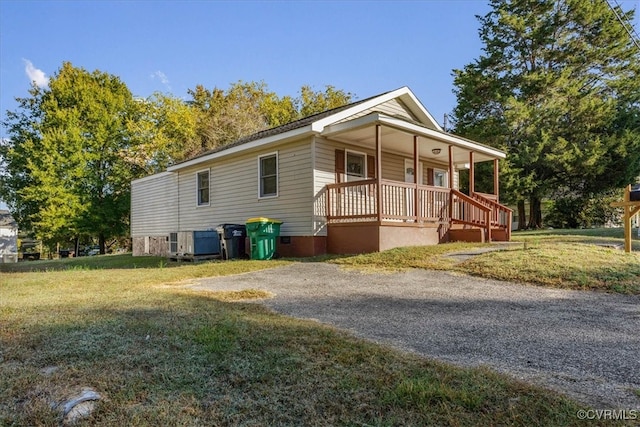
x,y
397,136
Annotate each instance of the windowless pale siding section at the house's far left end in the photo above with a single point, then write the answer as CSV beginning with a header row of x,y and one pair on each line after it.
x,y
154,205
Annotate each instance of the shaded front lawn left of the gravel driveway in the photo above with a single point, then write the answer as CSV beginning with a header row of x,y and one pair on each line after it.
x,y
161,354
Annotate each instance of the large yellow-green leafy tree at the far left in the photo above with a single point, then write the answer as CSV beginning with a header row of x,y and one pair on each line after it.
x,y
66,164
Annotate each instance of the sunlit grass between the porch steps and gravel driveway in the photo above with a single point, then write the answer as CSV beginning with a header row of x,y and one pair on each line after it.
x,y
571,259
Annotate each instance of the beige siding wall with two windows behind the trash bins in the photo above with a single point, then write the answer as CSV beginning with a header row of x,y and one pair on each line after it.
x,y
234,191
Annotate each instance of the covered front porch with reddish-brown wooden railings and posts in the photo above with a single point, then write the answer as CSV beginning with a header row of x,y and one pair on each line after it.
x,y
377,213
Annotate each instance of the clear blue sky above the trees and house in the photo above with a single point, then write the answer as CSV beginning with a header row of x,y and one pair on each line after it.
x,y
364,47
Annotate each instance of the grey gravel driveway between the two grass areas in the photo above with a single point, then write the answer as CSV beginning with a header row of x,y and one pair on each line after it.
x,y
583,344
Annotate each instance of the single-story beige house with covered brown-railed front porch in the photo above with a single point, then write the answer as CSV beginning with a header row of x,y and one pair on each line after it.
x,y
342,181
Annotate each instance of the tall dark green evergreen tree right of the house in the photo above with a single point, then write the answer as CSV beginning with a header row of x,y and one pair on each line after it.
x,y
557,87
